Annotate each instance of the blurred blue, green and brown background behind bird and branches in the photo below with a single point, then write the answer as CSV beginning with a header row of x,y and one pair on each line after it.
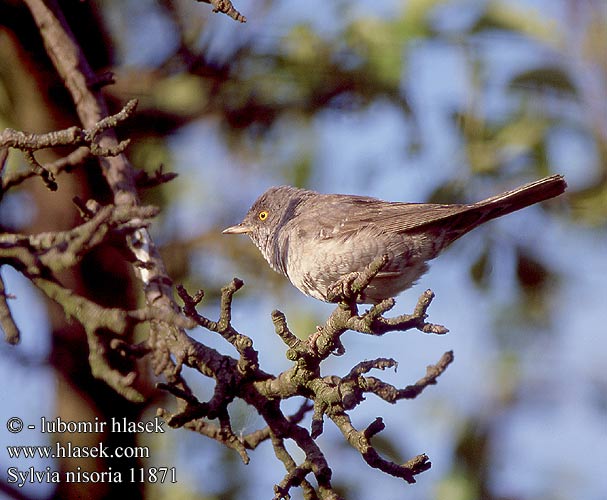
x,y
416,100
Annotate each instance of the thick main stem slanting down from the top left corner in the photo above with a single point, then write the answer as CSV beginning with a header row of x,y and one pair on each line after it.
x,y
82,83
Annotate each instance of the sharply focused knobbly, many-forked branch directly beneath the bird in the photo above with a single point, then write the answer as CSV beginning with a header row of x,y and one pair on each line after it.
x,y
333,396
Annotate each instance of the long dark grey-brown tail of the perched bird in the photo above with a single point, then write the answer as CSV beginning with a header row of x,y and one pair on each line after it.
x,y
478,213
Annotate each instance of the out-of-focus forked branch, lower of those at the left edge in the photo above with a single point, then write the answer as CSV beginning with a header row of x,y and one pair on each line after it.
x,y
39,257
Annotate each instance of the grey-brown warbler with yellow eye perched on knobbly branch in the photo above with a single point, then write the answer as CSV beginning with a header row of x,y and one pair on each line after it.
x,y
317,239
